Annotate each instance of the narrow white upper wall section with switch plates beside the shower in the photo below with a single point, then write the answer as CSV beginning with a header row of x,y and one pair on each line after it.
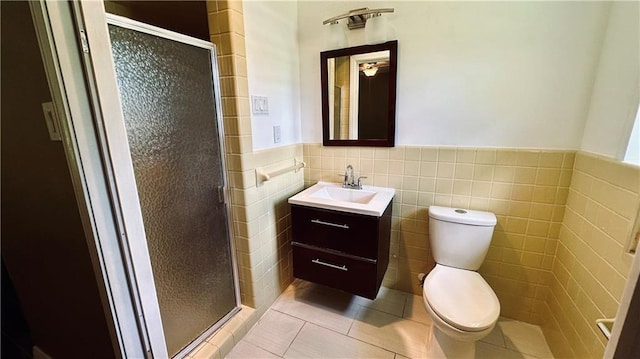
x,y
273,69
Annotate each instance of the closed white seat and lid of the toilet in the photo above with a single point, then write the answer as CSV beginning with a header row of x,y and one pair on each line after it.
x,y
461,298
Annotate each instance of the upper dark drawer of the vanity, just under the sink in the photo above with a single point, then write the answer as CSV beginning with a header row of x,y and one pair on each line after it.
x,y
343,232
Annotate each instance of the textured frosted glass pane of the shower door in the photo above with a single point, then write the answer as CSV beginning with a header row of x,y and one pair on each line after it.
x,y
166,89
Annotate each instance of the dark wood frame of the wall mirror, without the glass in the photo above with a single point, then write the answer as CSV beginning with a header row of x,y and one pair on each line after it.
x,y
392,47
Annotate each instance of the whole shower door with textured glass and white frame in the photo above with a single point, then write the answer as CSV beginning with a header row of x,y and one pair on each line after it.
x,y
143,129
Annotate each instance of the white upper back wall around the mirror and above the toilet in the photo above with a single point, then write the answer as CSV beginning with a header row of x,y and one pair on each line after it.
x,y
503,74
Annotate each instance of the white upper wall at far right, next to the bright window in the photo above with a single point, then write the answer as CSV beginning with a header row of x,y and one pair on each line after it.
x,y
616,93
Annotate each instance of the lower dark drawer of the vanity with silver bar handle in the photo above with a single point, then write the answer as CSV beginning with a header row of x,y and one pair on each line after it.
x,y
338,271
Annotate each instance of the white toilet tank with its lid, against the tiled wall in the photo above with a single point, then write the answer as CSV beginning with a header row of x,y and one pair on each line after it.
x,y
460,238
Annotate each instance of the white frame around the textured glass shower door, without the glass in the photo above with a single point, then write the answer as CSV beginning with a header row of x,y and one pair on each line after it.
x,y
82,47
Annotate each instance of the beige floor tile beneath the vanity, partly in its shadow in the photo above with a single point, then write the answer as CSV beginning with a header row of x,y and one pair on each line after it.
x,y
320,305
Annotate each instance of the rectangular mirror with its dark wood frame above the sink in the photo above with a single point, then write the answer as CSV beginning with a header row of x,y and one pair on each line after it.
x,y
359,95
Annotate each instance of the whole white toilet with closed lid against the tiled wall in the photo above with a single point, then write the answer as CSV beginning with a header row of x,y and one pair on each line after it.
x,y
460,302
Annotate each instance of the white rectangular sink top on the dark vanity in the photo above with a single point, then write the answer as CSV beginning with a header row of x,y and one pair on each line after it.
x,y
369,200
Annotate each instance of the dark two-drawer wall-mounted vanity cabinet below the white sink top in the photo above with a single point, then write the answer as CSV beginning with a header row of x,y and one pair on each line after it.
x,y
341,250
